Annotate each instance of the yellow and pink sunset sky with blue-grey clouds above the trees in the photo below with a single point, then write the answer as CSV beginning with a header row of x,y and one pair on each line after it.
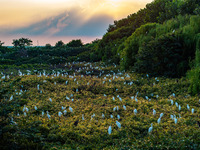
x,y
48,21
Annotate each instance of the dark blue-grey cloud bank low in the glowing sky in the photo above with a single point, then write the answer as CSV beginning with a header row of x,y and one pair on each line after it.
x,y
70,23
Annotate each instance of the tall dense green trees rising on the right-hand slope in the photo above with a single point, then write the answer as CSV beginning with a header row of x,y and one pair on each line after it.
x,y
141,38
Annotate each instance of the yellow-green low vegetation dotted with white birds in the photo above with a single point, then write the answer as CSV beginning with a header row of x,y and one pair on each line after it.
x,y
73,108
